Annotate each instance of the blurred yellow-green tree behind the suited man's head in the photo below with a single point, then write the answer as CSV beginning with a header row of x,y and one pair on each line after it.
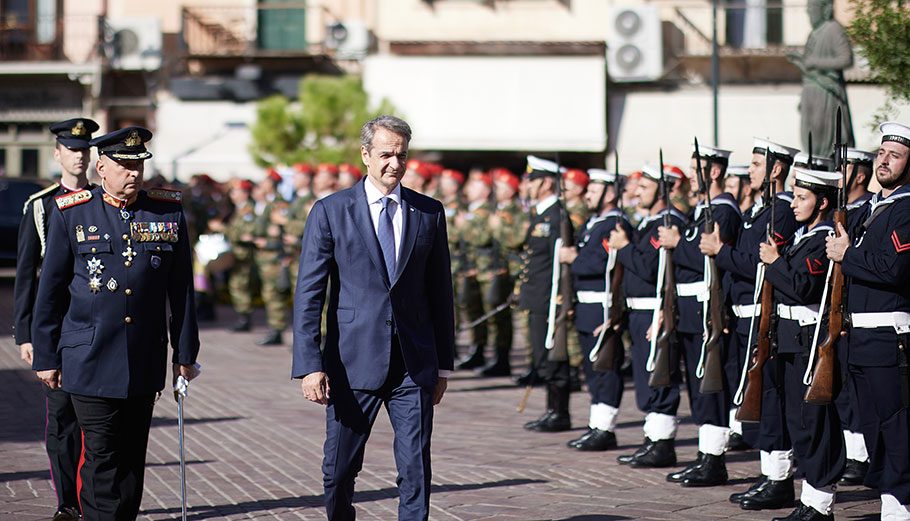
x,y
323,126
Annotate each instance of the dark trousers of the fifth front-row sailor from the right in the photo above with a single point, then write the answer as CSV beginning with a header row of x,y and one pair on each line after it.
x,y
663,400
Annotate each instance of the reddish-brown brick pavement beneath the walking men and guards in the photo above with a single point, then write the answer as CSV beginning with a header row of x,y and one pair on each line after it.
x,y
254,448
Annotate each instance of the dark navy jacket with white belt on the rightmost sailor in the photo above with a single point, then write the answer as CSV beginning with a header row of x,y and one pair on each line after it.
x,y
877,267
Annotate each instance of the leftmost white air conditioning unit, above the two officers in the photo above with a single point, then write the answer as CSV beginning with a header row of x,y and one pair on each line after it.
x,y
135,43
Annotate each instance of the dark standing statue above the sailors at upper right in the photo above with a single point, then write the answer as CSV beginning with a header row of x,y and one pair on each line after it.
x,y
823,60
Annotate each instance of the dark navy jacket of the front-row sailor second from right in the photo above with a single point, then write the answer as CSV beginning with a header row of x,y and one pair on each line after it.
x,y
798,279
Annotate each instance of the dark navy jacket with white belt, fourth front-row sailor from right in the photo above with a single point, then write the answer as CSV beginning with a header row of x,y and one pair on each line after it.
x,y
690,261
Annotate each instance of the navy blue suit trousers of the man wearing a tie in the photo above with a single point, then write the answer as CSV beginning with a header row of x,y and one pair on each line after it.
x,y
350,415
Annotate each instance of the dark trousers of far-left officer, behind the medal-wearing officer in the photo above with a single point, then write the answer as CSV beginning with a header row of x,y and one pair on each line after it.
x,y
63,441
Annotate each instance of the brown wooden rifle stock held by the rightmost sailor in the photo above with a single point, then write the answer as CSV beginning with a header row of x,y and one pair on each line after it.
x,y
821,390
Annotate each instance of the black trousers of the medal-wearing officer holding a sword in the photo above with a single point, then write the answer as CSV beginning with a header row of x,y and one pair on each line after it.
x,y
115,435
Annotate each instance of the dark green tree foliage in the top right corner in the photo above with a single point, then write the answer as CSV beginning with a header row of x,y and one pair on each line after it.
x,y
881,29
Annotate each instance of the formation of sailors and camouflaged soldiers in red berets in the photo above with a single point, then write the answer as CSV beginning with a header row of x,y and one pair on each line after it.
x,y
763,235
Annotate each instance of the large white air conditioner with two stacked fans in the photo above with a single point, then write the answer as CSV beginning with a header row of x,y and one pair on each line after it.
x,y
634,47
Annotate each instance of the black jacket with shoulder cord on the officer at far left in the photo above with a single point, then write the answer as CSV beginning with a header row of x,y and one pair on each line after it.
x,y
30,251
